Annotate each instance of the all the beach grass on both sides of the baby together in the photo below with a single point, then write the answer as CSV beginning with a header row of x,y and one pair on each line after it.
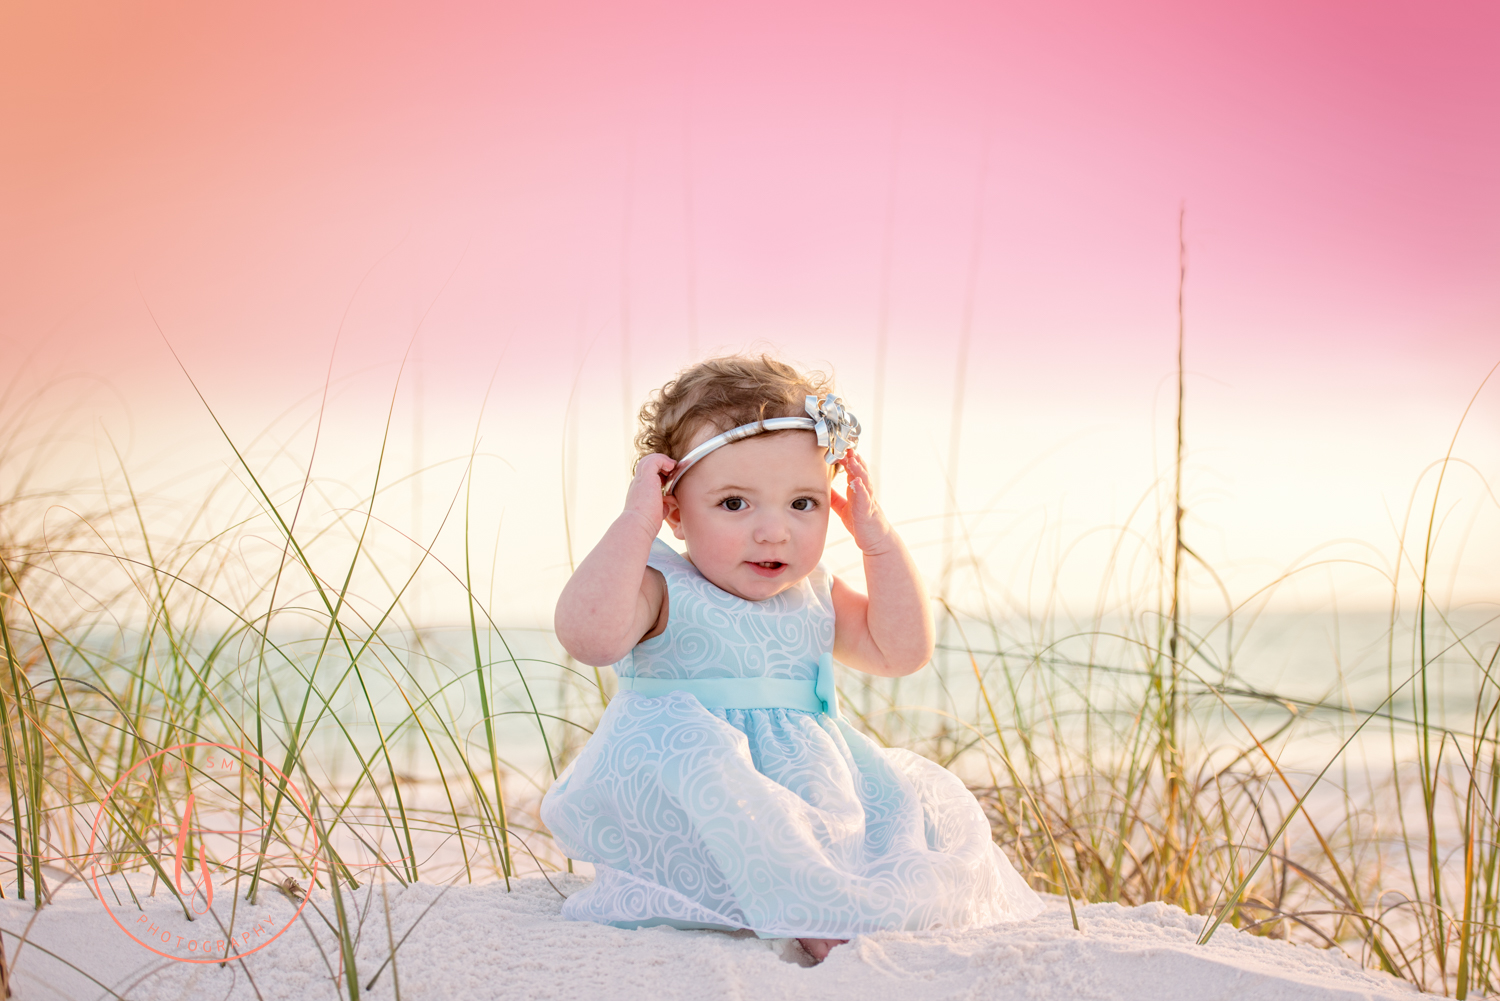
x,y
1133,754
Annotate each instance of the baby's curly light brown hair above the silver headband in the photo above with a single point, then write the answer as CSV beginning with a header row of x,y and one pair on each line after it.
x,y
724,394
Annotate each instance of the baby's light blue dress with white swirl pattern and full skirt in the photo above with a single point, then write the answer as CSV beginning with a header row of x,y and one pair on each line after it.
x,y
779,820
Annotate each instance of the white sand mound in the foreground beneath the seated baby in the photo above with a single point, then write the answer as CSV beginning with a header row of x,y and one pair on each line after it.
x,y
481,942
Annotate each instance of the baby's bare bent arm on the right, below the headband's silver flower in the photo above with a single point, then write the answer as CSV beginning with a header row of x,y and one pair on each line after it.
x,y
889,633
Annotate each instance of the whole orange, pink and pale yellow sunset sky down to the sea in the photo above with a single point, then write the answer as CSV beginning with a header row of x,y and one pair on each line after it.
x,y
491,230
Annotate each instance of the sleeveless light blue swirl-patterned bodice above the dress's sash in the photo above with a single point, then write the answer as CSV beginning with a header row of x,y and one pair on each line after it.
x,y
713,634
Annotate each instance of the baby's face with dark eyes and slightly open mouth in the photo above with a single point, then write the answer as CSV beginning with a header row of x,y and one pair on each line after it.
x,y
755,514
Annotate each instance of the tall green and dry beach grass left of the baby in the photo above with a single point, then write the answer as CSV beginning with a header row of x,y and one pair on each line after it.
x,y
248,630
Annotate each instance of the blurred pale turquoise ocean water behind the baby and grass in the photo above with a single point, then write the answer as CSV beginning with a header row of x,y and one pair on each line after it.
x,y
1303,682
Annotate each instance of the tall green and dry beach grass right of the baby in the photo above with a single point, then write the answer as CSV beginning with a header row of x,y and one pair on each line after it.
x,y
1133,757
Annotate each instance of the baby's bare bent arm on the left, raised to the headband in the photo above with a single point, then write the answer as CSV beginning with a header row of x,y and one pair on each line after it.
x,y
613,601
